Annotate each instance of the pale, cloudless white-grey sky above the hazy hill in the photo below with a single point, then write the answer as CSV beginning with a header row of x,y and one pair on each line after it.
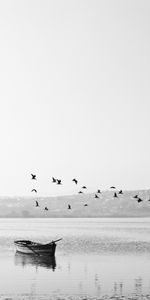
x,y
74,95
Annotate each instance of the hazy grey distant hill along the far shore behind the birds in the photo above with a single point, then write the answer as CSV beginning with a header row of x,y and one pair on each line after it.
x,y
104,206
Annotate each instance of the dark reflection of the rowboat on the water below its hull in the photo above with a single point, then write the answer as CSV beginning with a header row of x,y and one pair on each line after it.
x,y
44,261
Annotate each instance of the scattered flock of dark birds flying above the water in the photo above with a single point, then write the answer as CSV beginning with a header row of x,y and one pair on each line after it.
x,y
96,196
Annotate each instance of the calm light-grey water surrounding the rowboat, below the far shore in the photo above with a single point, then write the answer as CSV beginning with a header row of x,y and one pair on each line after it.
x,y
97,259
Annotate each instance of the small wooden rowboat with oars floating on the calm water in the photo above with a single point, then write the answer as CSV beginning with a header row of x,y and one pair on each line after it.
x,y
28,247
